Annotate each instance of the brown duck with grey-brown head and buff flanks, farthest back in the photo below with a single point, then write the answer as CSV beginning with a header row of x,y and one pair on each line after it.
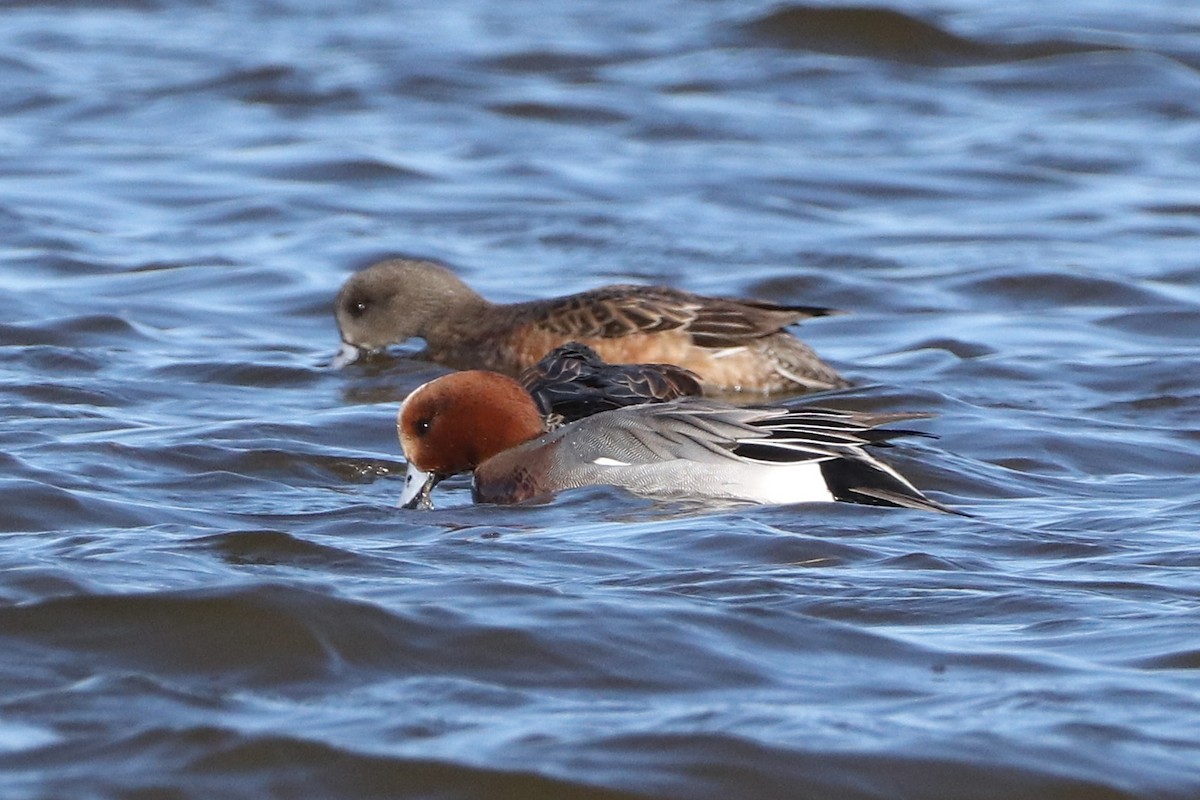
x,y
733,345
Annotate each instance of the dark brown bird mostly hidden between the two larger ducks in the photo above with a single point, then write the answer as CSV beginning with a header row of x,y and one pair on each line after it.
x,y
572,382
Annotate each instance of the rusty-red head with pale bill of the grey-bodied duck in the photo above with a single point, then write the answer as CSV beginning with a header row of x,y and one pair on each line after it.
x,y
457,423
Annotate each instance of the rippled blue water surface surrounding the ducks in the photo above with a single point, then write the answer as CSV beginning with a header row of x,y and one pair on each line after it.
x,y
206,587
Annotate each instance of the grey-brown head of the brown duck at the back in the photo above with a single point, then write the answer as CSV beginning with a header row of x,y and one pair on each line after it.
x,y
397,300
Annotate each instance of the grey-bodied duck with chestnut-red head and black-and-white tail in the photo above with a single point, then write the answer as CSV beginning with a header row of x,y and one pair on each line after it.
x,y
688,449
